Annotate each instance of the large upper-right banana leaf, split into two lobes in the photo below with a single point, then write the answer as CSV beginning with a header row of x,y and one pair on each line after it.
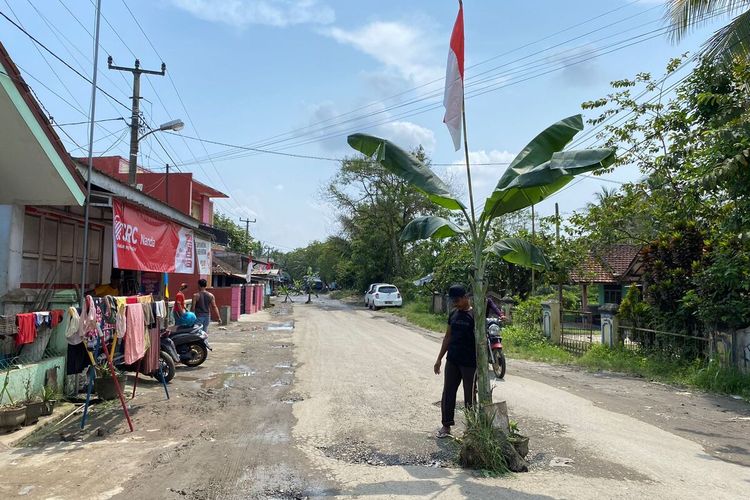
x,y
542,169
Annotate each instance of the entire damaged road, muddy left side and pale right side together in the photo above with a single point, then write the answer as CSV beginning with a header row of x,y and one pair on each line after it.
x,y
326,399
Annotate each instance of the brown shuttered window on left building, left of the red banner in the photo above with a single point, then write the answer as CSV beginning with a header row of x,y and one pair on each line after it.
x,y
53,249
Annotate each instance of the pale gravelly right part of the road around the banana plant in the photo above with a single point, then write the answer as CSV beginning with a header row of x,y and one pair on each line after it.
x,y
369,414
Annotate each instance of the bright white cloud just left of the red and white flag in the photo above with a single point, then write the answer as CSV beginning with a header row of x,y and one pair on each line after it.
x,y
405,48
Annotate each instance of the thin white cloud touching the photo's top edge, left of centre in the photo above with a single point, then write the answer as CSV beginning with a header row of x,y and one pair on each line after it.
x,y
241,13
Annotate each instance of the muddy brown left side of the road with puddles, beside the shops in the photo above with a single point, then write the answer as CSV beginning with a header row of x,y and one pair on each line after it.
x,y
225,432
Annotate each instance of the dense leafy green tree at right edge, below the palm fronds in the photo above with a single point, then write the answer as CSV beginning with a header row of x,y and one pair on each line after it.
x,y
691,208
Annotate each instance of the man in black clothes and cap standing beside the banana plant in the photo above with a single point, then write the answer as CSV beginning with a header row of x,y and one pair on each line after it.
x,y
461,363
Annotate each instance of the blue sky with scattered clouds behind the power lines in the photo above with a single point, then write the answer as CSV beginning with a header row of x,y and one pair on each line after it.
x,y
279,75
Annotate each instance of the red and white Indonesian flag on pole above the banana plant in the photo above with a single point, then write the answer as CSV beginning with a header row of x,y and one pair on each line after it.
x,y
453,100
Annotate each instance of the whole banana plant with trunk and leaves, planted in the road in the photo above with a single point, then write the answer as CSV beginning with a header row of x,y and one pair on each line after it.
x,y
539,170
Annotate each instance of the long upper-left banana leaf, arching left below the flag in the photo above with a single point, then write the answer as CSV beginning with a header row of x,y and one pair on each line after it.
x,y
406,166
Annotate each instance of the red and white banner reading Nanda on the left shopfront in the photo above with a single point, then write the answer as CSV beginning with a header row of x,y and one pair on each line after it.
x,y
144,243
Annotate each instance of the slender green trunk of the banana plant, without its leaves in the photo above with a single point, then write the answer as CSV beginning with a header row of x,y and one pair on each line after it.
x,y
479,289
